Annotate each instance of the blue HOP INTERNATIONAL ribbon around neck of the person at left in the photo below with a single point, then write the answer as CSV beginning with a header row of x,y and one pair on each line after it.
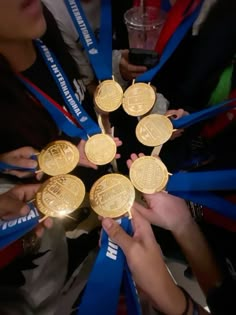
x,y
85,125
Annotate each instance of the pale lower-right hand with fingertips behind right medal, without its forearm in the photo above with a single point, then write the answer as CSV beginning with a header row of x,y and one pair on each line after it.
x,y
164,210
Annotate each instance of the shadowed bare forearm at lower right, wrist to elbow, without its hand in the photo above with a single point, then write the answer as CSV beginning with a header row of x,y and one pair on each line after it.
x,y
199,255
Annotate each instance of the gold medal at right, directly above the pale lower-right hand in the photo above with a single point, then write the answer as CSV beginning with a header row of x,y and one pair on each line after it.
x,y
148,174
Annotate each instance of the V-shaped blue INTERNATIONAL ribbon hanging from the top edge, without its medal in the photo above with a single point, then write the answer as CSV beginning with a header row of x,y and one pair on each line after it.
x,y
100,55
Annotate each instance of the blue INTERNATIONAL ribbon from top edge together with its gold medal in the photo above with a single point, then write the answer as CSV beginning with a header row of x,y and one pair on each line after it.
x,y
108,95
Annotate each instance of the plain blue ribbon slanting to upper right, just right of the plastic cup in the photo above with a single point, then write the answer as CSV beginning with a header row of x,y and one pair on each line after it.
x,y
171,46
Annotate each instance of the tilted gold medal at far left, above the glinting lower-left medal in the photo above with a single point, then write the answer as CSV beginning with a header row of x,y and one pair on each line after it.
x,y
59,157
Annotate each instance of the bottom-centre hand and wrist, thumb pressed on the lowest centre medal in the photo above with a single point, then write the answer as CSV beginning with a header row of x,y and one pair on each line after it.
x,y
146,264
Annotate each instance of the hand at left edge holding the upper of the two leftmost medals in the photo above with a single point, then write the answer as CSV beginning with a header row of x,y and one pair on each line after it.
x,y
21,158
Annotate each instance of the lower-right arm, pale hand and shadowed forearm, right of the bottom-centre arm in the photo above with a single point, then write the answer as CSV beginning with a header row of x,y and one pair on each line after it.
x,y
172,213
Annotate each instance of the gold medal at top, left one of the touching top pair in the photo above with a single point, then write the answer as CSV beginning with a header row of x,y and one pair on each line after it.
x,y
108,95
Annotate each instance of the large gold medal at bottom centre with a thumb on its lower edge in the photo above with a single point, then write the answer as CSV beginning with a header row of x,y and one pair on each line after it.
x,y
112,196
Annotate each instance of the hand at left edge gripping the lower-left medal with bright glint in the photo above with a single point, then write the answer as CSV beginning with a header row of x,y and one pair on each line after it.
x,y
13,205
